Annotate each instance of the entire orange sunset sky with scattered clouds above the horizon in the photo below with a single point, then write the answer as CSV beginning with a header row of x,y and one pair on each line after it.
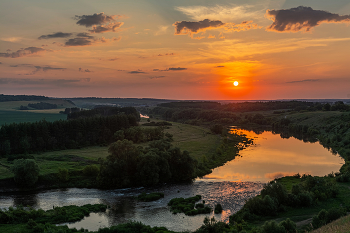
x,y
176,49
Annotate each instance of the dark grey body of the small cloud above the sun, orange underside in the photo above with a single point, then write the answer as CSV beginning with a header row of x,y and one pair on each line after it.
x,y
186,27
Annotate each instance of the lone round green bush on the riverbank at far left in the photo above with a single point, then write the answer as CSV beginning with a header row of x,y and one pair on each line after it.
x,y
26,172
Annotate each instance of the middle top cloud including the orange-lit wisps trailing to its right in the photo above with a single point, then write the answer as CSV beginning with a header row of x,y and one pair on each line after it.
x,y
190,28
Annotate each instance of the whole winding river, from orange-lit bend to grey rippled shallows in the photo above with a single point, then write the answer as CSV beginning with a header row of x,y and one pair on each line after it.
x,y
230,185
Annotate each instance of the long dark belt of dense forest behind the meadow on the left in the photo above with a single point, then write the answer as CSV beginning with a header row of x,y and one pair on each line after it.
x,y
22,138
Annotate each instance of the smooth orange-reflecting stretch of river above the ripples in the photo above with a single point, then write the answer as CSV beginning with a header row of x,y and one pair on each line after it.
x,y
272,157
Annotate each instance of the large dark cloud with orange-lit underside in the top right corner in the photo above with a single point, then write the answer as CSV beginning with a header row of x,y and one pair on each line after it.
x,y
301,19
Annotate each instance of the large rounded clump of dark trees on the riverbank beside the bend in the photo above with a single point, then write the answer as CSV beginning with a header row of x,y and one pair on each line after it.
x,y
131,165
